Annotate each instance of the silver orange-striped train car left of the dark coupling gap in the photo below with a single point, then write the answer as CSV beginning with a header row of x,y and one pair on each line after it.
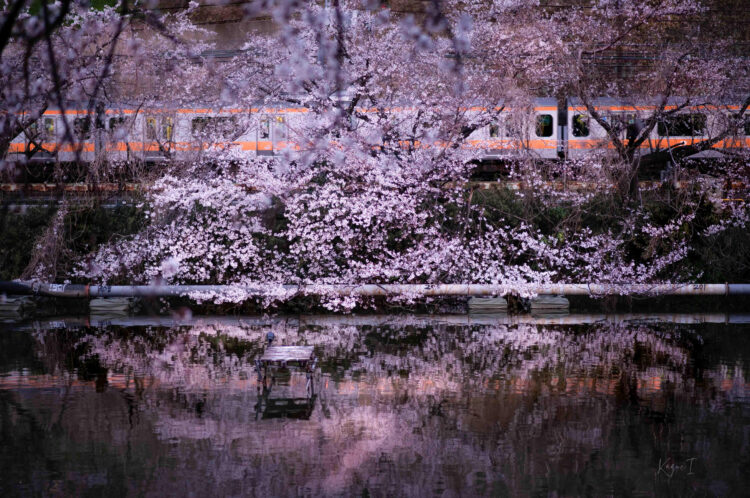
x,y
119,134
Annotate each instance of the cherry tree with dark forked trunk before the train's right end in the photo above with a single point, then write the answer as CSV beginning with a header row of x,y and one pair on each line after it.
x,y
677,73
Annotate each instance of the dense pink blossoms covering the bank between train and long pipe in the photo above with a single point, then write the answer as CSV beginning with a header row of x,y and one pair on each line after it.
x,y
251,226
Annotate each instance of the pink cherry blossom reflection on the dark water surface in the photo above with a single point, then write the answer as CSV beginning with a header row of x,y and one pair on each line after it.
x,y
516,407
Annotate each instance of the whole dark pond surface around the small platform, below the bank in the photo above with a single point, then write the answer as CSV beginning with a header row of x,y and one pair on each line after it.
x,y
399,406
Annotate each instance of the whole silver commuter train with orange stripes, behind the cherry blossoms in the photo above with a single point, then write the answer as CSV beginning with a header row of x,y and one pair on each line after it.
x,y
540,130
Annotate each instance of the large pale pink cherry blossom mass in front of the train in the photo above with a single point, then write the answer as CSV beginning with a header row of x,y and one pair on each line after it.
x,y
371,184
